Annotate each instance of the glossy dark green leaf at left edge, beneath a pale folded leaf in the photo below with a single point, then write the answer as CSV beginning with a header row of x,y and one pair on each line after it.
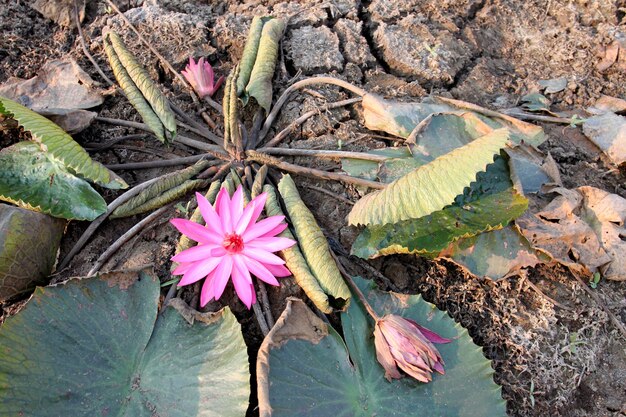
x,y
33,179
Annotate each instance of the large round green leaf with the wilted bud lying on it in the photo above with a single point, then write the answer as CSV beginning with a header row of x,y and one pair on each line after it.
x,y
307,370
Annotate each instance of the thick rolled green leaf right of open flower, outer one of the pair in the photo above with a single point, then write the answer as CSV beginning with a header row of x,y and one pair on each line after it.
x,y
314,245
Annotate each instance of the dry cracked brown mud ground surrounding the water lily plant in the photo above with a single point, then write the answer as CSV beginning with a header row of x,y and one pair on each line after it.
x,y
489,52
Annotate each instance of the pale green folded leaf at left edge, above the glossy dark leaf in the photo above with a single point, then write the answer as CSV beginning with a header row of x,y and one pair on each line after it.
x,y
57,143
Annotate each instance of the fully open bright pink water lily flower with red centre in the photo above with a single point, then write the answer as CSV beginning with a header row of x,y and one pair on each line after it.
x,y
232,245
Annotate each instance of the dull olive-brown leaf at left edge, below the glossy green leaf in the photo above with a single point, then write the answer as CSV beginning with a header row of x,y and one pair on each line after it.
x,y
29,243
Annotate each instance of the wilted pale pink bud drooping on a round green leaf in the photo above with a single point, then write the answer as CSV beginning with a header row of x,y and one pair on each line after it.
x,y
402,343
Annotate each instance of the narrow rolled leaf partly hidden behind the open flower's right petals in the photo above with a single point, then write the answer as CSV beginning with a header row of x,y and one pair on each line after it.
x,y
295,260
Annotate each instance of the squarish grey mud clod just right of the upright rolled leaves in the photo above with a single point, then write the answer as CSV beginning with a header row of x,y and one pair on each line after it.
x,y
314,50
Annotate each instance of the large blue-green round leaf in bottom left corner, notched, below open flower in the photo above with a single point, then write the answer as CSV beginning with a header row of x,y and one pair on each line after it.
x,y
95,347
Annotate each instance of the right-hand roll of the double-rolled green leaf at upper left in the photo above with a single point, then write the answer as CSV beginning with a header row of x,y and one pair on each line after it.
x,y
142,80
